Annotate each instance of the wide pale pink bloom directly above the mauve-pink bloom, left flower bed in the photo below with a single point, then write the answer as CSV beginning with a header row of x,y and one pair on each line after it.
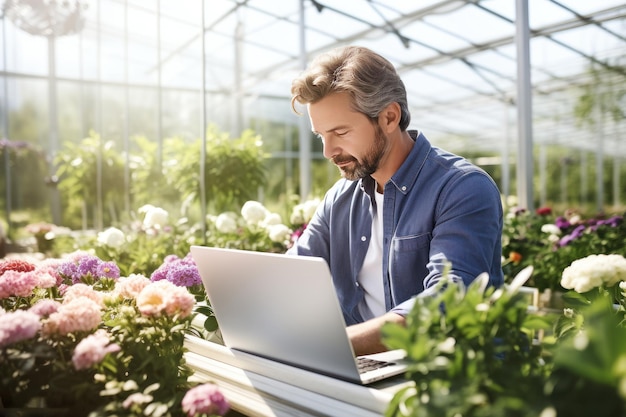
x,y
80,314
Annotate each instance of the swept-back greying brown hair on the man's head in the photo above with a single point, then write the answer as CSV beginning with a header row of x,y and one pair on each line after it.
x,y
370,79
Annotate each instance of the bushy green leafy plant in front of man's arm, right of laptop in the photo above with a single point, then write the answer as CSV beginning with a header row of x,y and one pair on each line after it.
x,y
470,354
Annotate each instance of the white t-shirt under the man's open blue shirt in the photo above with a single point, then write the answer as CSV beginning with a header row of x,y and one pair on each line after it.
x,y
370,278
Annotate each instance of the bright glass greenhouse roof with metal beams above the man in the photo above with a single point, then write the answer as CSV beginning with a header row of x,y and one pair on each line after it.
x,y
457,57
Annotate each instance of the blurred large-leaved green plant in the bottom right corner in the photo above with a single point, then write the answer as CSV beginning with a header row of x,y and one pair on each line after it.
x,y
589,361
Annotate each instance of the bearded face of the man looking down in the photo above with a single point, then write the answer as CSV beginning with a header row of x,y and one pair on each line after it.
x,y
351,141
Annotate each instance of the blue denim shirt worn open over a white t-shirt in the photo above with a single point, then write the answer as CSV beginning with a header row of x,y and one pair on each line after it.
x,y
437,208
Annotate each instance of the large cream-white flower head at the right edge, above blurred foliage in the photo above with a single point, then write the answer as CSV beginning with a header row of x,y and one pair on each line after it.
x,y
594,271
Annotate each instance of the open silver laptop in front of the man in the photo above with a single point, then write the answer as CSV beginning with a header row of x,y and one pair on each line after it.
x,y
285,308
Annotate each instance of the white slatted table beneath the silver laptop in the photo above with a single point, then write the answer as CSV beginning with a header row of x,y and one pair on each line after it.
x,y
256,386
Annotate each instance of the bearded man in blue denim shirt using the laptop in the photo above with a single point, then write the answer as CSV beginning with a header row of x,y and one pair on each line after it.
x,y
403,211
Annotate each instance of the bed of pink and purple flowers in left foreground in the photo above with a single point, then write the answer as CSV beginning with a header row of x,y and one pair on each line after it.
x,y
77,336
